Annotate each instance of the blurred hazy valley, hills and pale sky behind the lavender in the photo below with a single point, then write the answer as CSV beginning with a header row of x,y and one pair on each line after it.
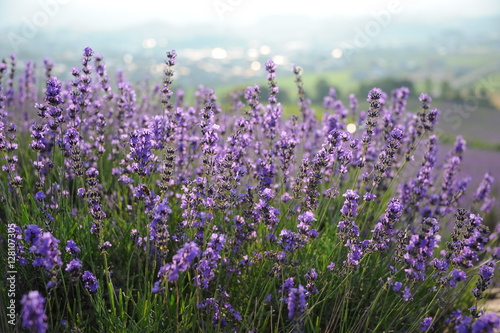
x,y
447,48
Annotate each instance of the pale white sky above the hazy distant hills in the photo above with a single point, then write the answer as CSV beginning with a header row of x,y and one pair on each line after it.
x,y
115,14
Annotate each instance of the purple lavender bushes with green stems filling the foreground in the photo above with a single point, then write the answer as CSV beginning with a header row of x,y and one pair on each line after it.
x,y
129,209
